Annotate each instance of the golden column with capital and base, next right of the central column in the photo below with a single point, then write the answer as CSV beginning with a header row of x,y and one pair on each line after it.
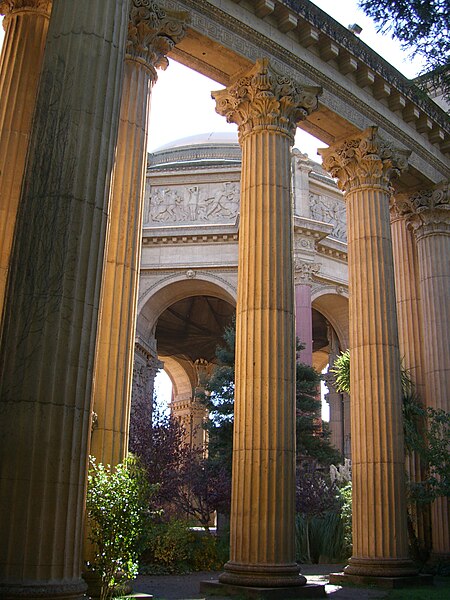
x,y
364,165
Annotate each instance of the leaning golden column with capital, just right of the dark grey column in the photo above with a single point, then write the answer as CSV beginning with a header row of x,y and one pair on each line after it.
x,y
152,33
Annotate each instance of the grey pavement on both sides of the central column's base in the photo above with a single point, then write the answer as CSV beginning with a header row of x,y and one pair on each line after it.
x,y
186,587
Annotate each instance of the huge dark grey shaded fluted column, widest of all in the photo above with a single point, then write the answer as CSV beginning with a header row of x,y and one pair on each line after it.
x,y
52,298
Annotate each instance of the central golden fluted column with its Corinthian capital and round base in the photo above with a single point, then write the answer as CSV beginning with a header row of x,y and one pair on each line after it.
x,y
265,107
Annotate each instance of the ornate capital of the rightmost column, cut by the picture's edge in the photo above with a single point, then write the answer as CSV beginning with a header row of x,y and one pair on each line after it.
x,y
430,211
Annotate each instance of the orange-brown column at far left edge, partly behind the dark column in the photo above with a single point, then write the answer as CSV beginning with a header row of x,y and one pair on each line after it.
x,y
26,24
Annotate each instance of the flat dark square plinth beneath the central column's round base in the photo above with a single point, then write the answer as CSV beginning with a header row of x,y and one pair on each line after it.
x,y
216,588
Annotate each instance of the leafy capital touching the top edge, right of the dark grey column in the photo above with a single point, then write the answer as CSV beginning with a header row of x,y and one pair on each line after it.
x,y
152,33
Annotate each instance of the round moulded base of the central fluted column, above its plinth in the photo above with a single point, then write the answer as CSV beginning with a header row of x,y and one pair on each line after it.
x,y
262,575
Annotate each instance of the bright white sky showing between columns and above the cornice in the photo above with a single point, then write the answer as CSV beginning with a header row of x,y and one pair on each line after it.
x,y
181,103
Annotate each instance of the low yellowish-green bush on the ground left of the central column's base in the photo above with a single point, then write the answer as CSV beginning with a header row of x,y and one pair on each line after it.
x,y
174,547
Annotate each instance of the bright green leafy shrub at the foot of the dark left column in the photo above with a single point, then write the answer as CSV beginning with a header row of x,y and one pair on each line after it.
x,y
117,509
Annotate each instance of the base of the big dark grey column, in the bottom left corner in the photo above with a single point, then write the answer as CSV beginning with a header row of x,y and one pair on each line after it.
x,y
44,591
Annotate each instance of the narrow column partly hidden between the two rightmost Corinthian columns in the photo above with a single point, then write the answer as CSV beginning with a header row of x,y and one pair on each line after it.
x,y
409,330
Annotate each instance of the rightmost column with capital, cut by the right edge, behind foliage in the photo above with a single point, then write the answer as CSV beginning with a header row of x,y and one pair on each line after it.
x,y
430,222
